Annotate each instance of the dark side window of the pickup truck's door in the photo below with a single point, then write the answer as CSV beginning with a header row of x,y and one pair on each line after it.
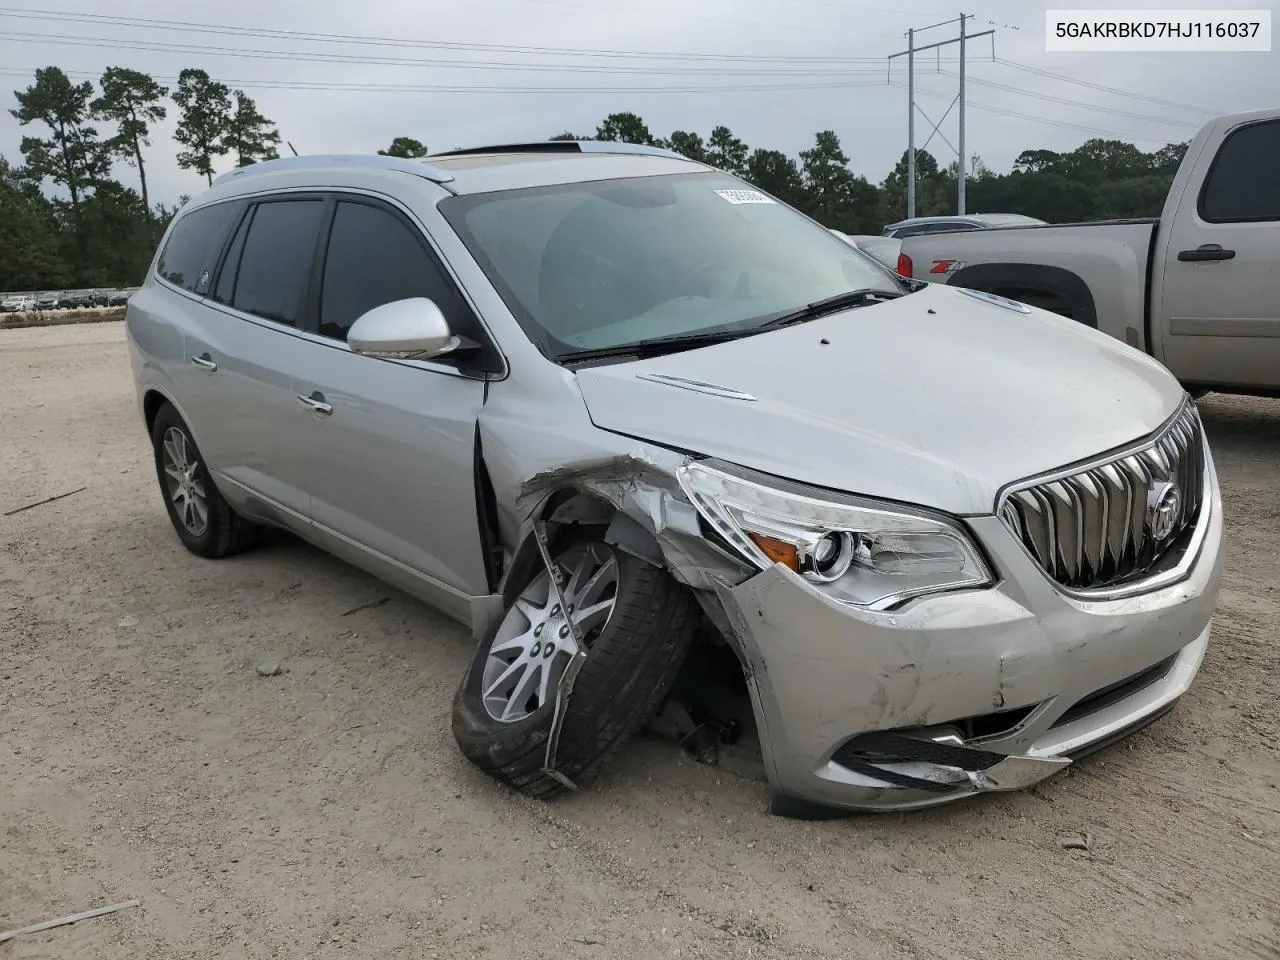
x,y
1245,181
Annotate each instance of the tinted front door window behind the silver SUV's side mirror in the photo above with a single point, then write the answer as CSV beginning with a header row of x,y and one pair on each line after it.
x,y
376,258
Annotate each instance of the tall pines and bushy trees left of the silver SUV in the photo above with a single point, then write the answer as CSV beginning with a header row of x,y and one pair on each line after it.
x,y
104,232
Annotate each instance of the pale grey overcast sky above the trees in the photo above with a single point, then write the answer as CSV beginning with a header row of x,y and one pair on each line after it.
x,y
830,72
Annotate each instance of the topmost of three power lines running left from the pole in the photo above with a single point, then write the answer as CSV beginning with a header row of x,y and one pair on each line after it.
x,y
348,40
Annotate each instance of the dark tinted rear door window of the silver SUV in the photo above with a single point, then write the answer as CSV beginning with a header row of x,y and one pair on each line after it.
x,y
276,263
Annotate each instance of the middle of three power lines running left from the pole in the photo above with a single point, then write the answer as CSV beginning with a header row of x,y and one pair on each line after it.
x,y
295,57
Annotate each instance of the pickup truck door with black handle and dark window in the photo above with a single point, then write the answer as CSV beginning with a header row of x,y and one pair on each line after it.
x,y
1220,290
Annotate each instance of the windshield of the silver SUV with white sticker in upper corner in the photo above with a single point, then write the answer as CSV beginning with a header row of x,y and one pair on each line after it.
x,y
612,263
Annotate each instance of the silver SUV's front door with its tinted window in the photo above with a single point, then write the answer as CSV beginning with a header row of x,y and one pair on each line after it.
x,y
391,454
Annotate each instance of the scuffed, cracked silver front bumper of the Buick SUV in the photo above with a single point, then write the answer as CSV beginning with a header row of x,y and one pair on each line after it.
x,y
963,693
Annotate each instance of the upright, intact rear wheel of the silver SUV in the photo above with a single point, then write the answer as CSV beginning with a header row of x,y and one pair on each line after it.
x,y
225,532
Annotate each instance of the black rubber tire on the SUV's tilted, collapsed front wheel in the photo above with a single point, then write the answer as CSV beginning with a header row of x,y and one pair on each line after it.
x,y
632,664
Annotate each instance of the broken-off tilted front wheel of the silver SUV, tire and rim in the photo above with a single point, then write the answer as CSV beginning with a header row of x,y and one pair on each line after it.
x,y
637,624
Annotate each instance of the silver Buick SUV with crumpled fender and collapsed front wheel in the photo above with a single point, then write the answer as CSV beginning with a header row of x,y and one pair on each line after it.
x,y
598,403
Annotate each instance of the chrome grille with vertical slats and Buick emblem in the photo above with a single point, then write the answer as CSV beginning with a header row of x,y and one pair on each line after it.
x,y
1101,527
